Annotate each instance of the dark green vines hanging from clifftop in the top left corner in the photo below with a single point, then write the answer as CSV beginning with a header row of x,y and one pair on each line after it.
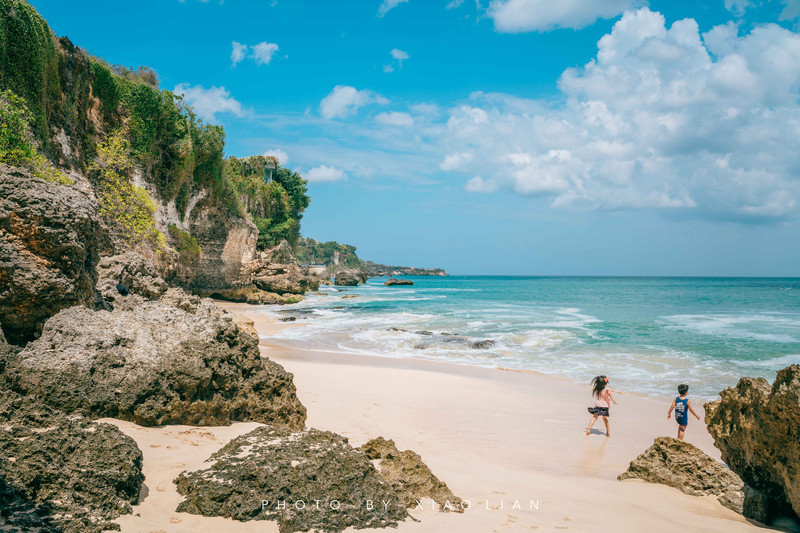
x,y
29,61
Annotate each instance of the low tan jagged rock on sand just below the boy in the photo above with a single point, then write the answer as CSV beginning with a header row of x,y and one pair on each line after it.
x,y
681,465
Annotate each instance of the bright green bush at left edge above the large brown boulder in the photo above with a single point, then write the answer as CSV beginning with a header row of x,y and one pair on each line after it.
x,y
17,145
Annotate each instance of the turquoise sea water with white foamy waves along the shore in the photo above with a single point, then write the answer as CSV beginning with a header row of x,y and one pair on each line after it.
x,y
647,334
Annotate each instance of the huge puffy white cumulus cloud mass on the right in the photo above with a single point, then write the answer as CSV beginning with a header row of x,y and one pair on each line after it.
x,y
663,117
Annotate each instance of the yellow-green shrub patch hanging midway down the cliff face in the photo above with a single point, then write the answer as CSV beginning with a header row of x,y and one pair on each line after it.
x,y
127,206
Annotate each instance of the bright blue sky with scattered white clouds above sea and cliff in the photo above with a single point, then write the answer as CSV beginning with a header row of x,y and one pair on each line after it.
x,y
526,137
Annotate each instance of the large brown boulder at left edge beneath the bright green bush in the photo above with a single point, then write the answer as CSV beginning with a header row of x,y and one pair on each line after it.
x,y
49,242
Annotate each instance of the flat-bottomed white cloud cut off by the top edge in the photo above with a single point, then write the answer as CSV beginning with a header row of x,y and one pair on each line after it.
x,y
515,16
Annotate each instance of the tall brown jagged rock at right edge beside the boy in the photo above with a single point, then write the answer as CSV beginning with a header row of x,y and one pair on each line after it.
x,y
757,430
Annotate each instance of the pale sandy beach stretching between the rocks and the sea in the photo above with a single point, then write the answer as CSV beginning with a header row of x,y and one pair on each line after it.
x,y
512,443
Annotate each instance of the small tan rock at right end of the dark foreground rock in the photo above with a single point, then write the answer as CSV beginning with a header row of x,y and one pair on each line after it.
x,y
409,476
